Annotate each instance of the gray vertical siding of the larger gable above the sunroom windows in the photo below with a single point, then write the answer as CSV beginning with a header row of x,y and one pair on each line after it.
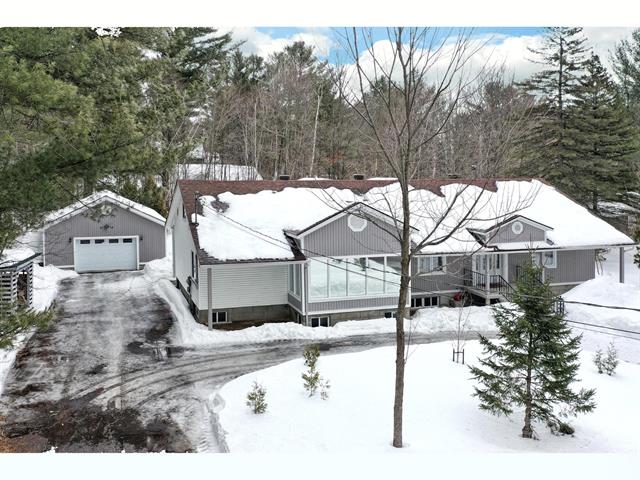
x,y
337,239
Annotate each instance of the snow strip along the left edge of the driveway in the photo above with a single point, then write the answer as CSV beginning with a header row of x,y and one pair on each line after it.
x,y
45,288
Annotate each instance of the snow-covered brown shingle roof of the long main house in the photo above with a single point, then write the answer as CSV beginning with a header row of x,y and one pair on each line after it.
x,y
246,222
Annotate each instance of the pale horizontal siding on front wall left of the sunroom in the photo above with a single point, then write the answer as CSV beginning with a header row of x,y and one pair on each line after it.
x,y
244,285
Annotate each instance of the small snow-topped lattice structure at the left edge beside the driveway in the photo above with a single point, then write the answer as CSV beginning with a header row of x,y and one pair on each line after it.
x,y
16,278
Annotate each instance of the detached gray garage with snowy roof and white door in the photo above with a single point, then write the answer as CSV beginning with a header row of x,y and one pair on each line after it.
x,y
101,232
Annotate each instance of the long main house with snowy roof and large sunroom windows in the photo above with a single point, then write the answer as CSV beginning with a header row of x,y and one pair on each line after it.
x,y
319,252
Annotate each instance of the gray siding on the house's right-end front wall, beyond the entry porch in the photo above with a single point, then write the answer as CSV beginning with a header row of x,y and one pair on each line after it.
x,y
573,266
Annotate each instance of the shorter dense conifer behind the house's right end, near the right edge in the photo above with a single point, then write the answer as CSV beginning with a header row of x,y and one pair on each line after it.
x,y
605,139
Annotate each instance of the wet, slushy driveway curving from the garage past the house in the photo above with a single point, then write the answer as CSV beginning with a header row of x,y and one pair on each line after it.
x,y
110,374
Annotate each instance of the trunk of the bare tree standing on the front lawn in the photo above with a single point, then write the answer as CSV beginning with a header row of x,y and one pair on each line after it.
x,y
405,262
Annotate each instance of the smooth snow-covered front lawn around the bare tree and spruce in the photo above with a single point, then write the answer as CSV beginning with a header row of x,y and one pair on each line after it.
x,y
440,415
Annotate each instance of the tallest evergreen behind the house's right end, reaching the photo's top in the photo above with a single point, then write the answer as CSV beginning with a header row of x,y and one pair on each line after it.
x,y
549,149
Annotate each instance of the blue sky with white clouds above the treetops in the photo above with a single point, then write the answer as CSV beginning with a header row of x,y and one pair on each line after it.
x,y
508,45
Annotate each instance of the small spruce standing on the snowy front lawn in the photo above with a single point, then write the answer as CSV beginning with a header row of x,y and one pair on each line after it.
x,y
534,360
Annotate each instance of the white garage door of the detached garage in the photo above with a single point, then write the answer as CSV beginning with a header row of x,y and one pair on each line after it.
x,y
98,254
